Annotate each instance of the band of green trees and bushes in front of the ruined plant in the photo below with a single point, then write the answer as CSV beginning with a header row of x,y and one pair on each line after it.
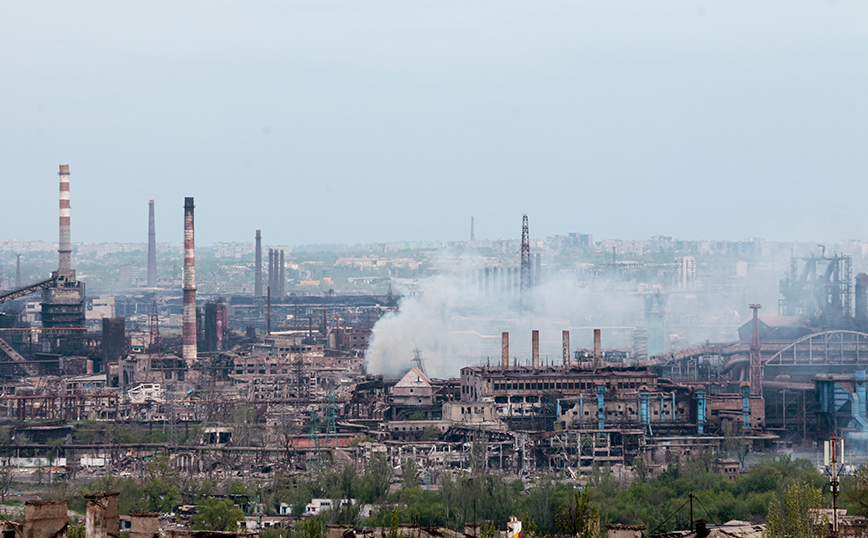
x,y
777,491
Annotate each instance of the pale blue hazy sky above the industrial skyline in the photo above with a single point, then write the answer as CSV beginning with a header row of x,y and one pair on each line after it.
x,y
361,121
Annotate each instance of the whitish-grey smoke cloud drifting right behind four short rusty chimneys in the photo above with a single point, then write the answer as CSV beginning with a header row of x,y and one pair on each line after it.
x,y
457,317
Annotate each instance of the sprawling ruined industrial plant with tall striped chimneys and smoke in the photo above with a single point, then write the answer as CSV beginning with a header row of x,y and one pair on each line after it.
x,y
331,374
